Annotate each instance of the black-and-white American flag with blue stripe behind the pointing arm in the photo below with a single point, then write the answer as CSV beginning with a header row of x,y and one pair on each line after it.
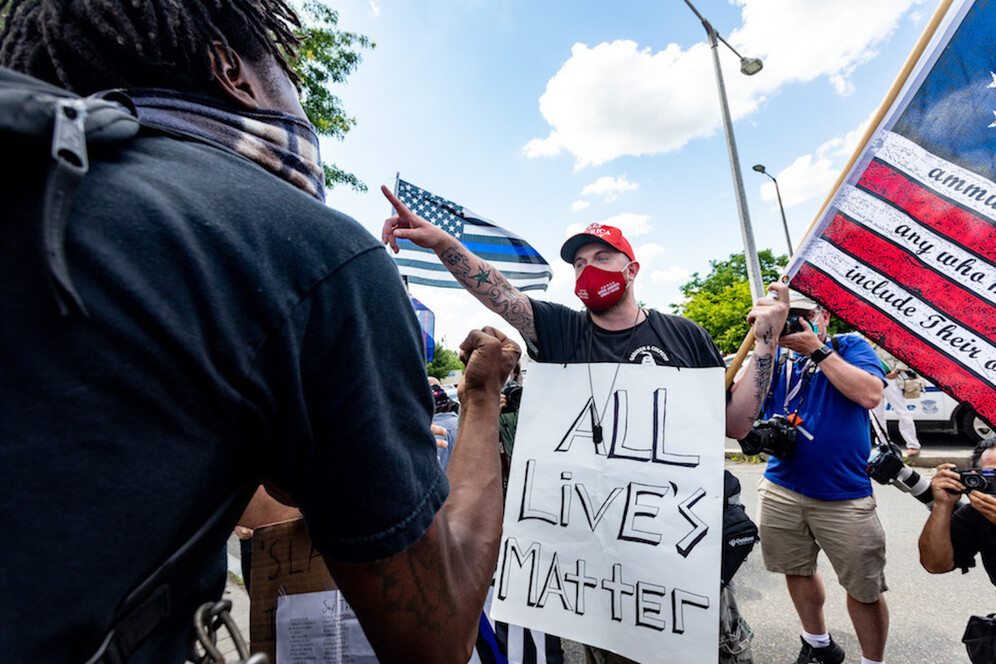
x,y
507,252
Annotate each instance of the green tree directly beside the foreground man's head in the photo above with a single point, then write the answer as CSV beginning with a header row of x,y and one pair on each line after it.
x,y
326,57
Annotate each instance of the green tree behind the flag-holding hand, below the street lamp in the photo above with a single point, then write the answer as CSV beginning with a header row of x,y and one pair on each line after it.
x,y
719,302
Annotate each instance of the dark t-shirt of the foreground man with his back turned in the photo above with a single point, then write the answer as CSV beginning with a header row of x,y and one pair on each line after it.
x,y
238,329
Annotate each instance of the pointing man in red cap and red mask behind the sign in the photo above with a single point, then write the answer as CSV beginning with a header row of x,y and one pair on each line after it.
x,y
613,328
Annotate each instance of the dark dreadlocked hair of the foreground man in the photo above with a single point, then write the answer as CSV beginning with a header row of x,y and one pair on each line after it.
x,y
90,45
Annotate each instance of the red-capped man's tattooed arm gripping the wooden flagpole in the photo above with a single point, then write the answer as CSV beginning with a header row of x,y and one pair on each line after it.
x,y
768,318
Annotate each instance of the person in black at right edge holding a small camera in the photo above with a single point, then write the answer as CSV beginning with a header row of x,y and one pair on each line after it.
x,y
954,534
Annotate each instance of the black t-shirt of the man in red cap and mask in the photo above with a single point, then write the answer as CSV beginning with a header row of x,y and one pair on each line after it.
x,y
569,336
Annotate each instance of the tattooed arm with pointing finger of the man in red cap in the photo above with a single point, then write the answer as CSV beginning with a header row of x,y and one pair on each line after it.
x,y
480,279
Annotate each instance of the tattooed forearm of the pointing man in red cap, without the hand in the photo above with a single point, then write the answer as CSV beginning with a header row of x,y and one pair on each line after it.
x,y
492,288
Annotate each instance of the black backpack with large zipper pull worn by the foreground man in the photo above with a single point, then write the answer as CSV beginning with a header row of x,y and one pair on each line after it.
x,y
40,118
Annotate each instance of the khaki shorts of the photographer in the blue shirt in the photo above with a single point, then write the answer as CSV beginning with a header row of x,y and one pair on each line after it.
x,y
795,527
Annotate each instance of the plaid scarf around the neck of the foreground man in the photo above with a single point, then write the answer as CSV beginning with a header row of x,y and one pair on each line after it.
x,y
279,142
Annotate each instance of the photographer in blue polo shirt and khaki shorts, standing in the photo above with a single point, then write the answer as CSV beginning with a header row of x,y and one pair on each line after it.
x,y
815,493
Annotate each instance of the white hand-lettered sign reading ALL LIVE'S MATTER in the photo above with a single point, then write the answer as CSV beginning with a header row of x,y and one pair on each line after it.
x,y
617,544
